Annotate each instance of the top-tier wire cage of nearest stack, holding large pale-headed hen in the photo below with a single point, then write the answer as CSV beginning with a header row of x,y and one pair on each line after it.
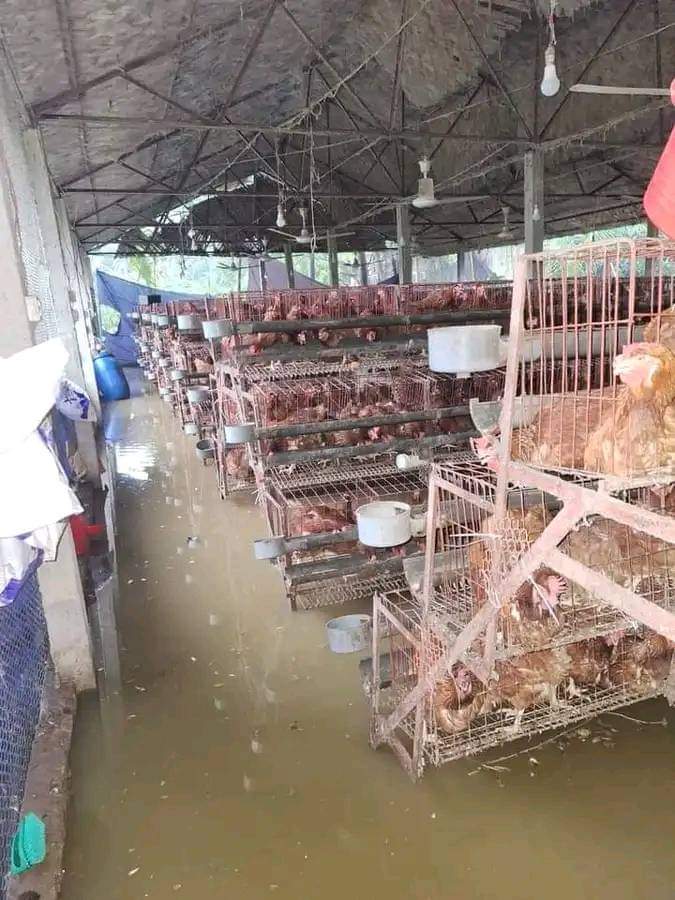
x,y
592,361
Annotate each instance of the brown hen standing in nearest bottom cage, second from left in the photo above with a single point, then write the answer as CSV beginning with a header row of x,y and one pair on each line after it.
x,y
530,679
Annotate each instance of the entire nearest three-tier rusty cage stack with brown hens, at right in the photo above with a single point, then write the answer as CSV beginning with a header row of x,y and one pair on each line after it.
x,y
547,595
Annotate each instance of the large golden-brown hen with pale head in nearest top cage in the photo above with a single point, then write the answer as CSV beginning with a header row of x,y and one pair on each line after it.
x,y
637,433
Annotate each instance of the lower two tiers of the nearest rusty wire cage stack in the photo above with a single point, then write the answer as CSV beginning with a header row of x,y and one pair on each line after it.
x,y
533,613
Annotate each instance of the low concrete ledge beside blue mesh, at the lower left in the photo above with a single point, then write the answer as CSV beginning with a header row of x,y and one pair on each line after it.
x,y
47,792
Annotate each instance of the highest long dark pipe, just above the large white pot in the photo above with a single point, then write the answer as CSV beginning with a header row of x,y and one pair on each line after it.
x,y
440,317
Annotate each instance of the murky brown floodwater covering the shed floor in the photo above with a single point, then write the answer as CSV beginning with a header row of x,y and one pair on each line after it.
x,y
236,762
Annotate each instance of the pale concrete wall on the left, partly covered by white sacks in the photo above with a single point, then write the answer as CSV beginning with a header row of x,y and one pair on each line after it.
x,y
41,297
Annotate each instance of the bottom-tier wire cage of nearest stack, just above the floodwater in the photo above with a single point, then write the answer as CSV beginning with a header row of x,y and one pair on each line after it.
x,y
459,715
